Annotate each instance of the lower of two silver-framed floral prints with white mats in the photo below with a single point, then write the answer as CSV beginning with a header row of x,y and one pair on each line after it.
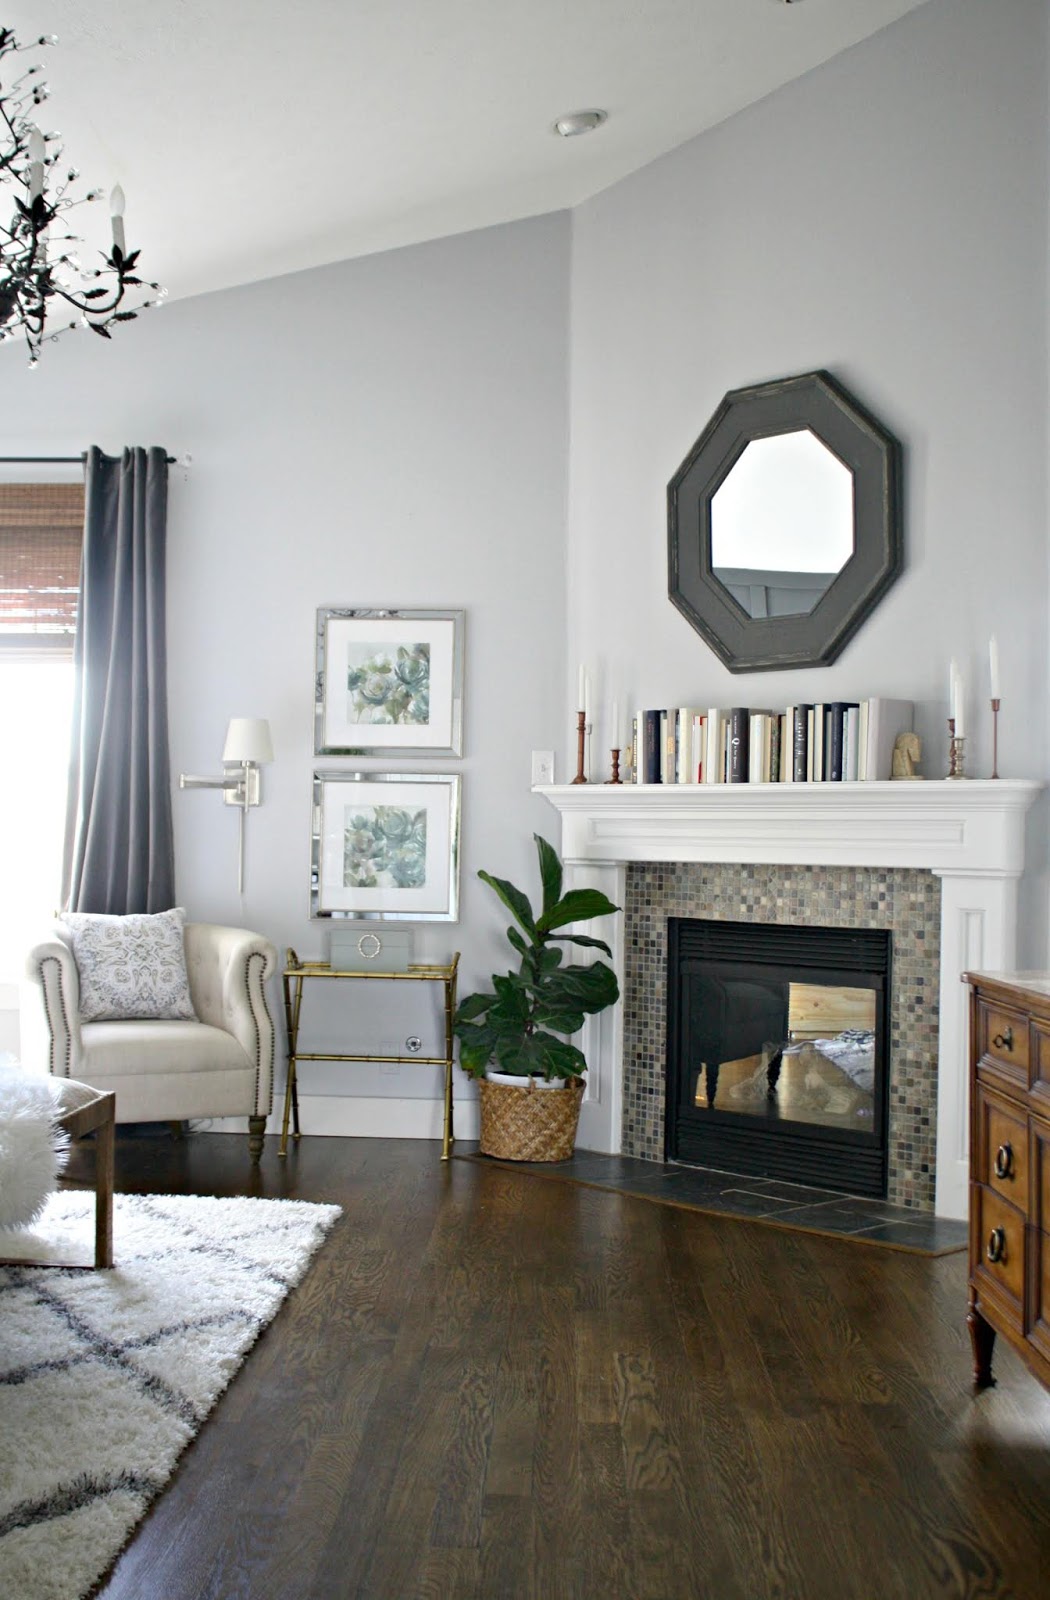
x,y
387,846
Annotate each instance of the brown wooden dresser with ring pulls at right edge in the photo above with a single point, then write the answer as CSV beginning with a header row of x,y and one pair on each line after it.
x,y
1011,1169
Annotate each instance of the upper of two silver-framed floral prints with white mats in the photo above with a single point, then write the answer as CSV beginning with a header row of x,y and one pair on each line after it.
x,y
388,682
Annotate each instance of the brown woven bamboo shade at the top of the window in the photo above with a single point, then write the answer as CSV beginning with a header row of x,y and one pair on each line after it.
x,y
41,538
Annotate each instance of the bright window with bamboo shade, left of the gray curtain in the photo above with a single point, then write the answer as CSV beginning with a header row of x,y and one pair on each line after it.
x,y
41,535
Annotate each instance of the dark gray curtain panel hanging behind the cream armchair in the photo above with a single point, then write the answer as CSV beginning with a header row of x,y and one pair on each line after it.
x,y
119,847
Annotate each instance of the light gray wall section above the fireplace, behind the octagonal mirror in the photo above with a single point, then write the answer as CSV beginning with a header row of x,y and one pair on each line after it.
x,y
884,218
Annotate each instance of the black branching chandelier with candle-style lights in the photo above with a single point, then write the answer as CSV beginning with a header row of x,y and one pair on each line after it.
x,y
41,274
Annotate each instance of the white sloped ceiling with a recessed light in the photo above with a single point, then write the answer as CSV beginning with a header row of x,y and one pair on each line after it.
x,y
262,137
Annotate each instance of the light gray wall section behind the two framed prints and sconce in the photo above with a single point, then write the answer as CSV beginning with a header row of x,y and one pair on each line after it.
x,y
390,431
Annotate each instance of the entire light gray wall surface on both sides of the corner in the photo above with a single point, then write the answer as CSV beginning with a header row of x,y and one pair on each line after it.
x,y
398,431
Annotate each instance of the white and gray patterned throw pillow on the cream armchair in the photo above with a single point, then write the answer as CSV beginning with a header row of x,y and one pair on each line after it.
x,y
130,967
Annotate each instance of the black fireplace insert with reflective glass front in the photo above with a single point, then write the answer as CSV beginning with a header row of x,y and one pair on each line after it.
x,y
777,1052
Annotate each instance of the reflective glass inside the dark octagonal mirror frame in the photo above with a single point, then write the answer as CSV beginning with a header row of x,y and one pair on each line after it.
x,y
782,524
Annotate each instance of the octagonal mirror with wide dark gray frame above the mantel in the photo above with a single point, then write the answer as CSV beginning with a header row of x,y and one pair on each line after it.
x,y
783,524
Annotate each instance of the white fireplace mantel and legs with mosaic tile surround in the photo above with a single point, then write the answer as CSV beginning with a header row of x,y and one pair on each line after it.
x,y
936,862
